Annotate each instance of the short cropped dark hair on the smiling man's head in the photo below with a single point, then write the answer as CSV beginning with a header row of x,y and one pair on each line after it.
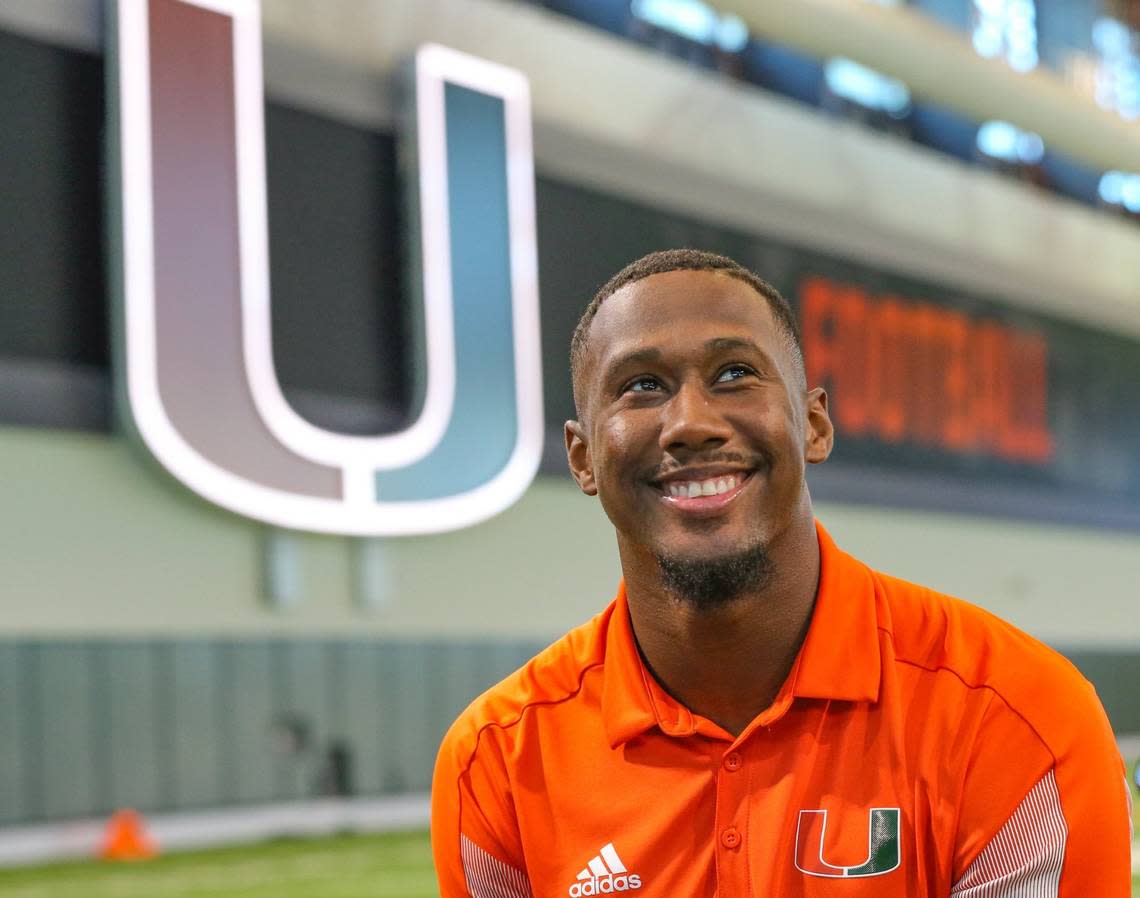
x,y
680,260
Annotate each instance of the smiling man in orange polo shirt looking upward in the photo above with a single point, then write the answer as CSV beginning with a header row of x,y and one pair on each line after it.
x,y
756,713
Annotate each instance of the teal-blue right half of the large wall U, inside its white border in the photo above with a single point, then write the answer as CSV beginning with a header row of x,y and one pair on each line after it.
x,y
484,424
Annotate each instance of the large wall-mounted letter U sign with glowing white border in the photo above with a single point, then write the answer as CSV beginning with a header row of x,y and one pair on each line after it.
x,y
196,354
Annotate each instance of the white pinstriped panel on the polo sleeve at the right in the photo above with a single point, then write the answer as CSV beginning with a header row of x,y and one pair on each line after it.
x,y
1024,859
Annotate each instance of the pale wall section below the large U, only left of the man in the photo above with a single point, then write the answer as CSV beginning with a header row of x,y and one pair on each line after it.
x,y
96,542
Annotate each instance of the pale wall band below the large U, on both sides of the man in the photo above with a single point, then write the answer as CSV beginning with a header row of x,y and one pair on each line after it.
x,y
96,542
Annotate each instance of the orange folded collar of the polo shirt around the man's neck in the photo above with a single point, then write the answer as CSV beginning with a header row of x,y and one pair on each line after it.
x,y
840,658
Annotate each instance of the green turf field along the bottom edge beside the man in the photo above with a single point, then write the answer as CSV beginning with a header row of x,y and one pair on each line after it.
x,y
352,867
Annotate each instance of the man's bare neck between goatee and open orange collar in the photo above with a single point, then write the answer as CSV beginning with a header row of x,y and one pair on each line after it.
x,y
728,663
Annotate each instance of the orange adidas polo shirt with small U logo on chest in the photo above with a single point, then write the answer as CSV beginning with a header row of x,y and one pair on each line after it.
x,y
921,747
